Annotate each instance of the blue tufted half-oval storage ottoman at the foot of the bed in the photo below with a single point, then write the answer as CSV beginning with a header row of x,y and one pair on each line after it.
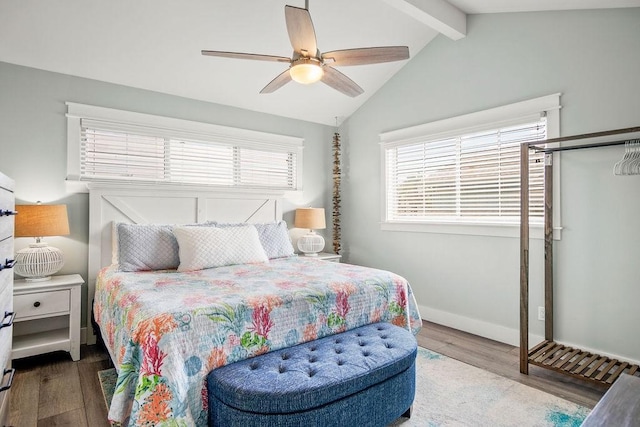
x,y
363,377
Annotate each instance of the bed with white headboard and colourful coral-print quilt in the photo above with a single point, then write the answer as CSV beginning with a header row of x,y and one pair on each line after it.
x,y
165,329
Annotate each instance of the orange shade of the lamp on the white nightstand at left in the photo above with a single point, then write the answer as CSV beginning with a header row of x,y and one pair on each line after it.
x,y
41,221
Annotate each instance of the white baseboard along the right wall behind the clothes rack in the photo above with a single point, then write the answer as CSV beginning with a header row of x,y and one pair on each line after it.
x,y
498,332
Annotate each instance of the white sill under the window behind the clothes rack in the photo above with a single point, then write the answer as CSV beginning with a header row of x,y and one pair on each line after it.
x,y
471,229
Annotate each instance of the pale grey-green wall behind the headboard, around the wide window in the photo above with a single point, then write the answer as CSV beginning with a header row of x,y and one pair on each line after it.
x,y
33,132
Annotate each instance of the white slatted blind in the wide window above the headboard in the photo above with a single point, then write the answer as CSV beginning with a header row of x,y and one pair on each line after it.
x,y
112,151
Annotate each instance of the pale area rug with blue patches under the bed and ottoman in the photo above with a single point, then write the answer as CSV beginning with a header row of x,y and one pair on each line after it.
x,y
452,393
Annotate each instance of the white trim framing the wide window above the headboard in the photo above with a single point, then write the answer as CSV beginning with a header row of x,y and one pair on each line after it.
x,y
237,136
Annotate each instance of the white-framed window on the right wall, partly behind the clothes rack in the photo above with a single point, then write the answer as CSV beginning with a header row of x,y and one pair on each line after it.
x,y
469,174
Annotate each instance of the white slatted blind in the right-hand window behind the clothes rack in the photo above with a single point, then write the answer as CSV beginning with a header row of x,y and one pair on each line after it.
x,y
470,177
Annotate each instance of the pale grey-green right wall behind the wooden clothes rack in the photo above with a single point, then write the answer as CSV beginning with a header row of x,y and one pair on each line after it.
x,y
471,282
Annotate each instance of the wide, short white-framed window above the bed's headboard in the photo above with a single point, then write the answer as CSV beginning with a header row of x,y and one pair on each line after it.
x,y
117,146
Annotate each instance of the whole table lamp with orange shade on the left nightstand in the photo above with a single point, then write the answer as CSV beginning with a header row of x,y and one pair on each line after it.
x,y
39,261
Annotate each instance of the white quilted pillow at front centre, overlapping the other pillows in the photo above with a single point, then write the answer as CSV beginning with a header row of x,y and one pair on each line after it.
x,y
208,247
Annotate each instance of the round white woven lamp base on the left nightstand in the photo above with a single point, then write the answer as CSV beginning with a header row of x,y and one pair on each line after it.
x,y
38,262
